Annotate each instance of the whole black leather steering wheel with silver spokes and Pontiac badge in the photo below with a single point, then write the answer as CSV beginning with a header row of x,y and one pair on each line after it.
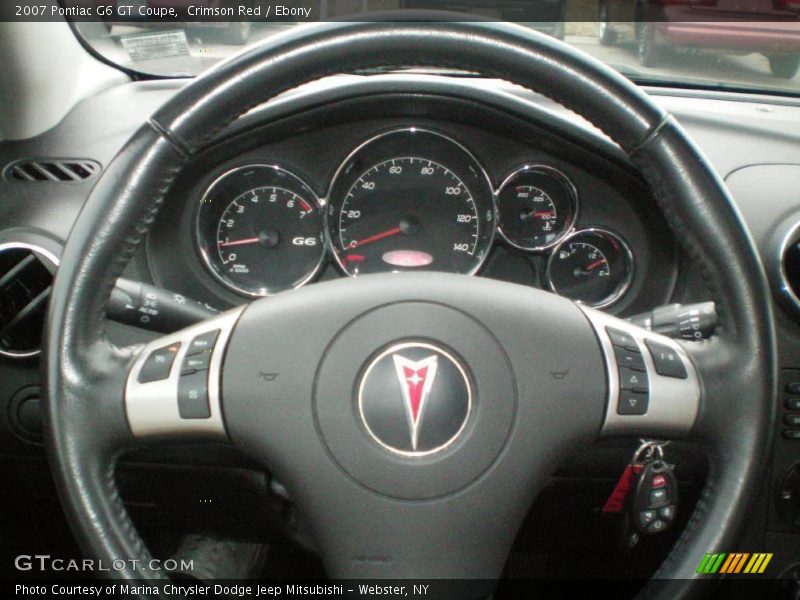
x,y
415,418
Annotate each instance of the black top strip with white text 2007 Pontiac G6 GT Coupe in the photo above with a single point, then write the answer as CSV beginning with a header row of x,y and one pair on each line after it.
x,y
521,11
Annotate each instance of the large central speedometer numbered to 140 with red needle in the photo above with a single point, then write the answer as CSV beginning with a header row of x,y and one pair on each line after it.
x,y
410,200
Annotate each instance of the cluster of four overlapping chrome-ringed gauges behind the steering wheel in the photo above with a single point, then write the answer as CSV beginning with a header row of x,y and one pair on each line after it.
x,y
405,200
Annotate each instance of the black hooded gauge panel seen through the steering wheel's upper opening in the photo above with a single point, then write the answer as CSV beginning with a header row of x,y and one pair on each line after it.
x,y
355,192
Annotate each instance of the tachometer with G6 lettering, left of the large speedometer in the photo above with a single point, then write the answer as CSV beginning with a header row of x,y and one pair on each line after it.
x,y
259,230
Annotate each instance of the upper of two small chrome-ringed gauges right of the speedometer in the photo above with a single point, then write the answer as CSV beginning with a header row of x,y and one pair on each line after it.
x,y
537,206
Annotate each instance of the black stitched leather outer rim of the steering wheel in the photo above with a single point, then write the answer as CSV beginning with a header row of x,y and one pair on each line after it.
x,y
87,376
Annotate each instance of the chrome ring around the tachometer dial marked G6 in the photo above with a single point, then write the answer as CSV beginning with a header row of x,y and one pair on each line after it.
x,y
279,171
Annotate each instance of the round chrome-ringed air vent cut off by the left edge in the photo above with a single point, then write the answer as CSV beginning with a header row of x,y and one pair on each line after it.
x,y
26,278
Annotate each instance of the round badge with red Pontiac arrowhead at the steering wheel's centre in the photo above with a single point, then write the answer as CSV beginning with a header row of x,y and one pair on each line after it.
x,y
415,399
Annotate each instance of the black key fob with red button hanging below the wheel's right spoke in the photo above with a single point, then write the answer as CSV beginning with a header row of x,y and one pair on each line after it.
x,y
655,498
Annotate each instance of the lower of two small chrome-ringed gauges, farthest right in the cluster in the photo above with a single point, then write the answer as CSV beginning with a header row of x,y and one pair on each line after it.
x,y
591,266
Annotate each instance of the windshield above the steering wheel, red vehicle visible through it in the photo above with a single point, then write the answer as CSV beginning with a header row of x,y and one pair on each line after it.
x,y
684,43
